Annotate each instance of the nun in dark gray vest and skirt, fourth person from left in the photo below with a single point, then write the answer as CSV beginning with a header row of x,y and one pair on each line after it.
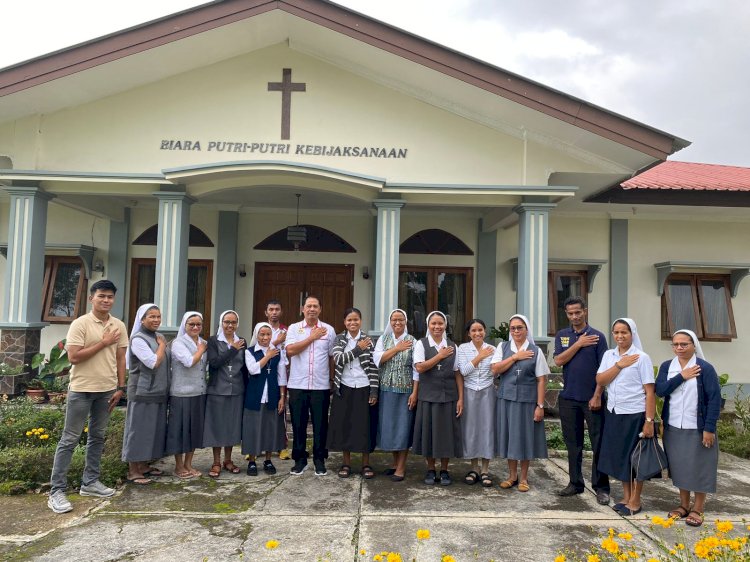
x,y
225,393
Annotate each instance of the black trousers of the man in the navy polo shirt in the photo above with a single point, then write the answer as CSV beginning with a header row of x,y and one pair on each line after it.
x,y
572,415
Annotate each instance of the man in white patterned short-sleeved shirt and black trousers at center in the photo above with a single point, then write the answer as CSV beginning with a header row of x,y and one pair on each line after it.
x,y
308,346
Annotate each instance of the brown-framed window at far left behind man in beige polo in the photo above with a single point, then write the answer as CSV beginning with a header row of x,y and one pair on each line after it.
x,y
63,290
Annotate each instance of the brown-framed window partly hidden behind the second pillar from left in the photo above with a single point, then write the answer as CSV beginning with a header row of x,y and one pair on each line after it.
x,y
197,295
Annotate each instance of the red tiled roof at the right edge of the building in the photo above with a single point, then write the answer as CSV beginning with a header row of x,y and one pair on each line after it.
x,y
691,176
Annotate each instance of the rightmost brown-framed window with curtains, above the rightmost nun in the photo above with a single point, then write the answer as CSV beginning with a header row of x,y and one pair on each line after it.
x,y
698,302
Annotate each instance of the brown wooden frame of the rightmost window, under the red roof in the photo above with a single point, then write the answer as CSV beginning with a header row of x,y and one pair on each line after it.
x,y
698,306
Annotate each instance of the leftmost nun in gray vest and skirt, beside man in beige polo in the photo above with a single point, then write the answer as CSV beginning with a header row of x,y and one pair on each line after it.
x,y
145,433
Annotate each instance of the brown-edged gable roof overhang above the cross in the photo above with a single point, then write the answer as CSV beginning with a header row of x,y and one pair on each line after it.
x,y
289,18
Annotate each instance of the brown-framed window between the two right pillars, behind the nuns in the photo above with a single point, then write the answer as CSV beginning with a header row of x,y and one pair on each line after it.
x,y
447,289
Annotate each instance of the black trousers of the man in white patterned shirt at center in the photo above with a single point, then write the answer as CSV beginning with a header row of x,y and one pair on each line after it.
x,y
302,405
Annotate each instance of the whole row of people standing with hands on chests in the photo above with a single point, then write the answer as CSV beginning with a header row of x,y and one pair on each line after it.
x,y
431,396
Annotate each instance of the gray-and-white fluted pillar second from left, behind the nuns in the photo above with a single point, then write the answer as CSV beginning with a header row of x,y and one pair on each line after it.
x,y
172,257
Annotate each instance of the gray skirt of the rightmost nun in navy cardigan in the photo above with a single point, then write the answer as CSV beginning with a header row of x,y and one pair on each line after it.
x,y
691,465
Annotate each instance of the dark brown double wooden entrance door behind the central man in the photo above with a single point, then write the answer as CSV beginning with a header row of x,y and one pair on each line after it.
x,y
291,283
